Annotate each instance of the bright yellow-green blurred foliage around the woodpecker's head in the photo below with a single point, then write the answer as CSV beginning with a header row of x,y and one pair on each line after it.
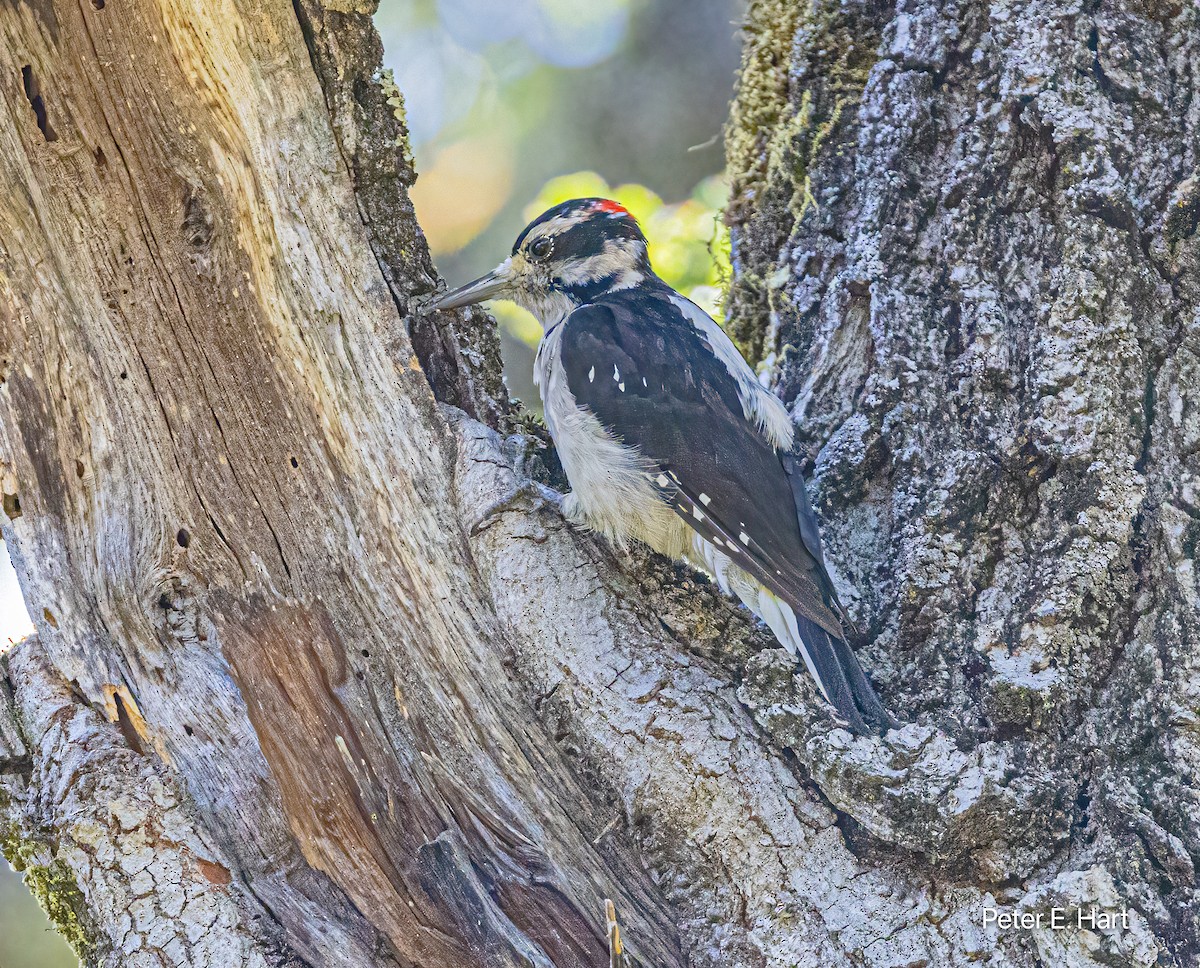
x,y
689,243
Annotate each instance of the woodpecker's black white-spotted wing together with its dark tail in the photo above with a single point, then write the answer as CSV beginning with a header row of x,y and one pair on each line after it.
x,y
652,380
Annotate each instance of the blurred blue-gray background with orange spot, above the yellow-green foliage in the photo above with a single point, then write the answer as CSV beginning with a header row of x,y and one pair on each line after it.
x,y
503,97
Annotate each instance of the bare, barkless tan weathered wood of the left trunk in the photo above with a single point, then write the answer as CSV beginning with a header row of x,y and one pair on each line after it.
x,y
237,527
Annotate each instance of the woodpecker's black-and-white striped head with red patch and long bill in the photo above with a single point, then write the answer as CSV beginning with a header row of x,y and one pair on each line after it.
x,y
567,257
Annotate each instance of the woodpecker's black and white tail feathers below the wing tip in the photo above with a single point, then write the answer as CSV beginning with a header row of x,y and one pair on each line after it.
x,y
831,663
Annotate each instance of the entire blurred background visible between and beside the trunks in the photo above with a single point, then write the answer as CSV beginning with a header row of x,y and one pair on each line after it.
x,y
513,107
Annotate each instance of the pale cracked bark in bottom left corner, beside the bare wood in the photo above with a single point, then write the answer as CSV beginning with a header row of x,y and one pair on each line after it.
x,y
124,865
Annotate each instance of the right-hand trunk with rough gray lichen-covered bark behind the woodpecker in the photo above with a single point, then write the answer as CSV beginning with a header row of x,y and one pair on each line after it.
x,y
965,248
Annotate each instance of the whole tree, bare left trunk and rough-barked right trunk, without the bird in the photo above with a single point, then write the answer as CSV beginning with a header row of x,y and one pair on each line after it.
x,y
321,681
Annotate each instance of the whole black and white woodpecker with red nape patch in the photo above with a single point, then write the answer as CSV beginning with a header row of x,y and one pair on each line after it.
x,y
668,437
